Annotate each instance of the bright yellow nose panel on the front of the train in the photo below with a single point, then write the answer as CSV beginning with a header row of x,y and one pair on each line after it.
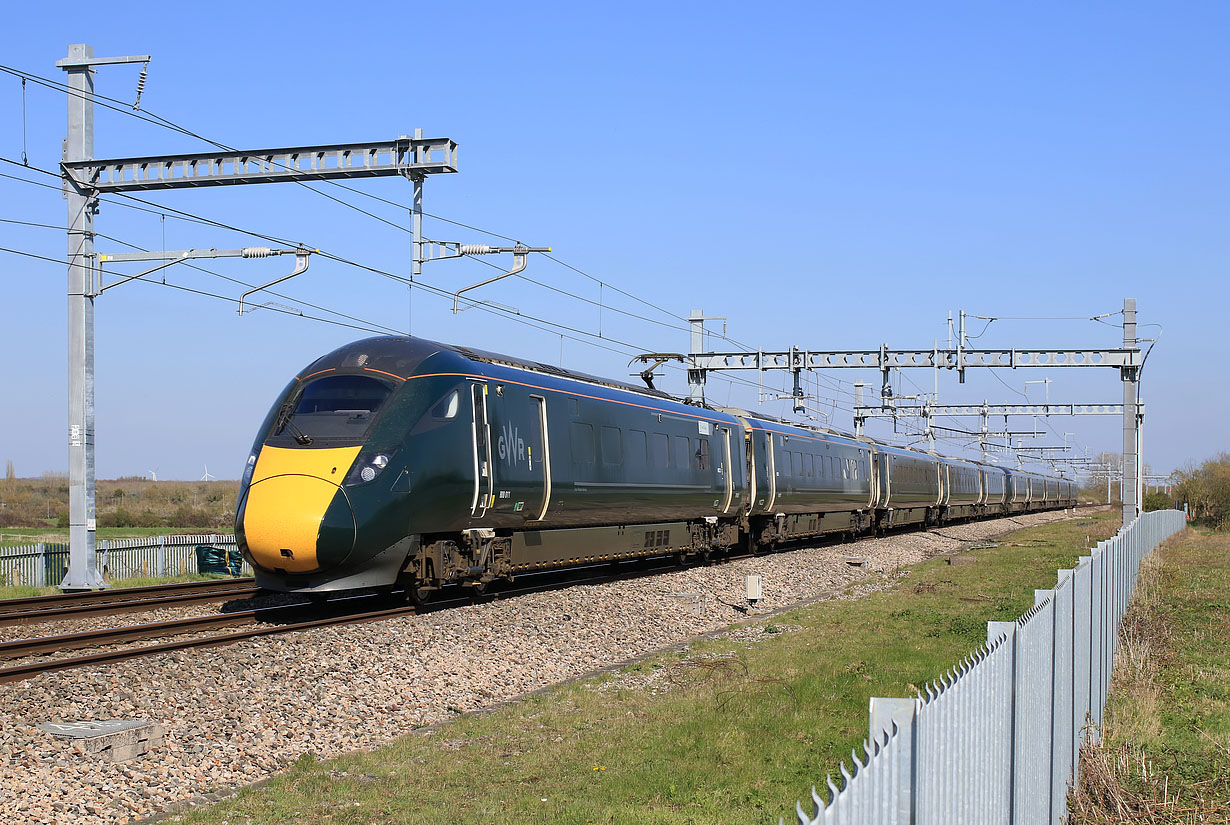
x,y
291,492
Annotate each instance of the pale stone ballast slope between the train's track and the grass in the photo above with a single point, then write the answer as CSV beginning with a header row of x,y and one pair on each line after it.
x,y
240,714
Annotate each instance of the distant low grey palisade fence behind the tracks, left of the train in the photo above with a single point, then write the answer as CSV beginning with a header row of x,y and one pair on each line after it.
x,y
44,565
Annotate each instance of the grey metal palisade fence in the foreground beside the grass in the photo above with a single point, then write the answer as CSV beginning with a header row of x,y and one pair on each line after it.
x,y
997,741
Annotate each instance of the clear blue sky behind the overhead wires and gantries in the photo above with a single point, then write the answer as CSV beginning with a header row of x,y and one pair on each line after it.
x,y
823,175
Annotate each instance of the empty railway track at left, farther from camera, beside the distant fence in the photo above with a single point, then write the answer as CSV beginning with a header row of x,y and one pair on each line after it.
x,y
121,601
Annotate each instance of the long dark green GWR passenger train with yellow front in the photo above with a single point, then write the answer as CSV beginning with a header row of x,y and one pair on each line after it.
x,y
399,463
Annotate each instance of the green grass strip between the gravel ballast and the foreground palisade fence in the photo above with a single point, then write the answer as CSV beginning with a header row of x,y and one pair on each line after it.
x,y
732,731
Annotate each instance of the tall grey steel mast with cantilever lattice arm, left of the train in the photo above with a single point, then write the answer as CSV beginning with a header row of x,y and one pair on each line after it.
x,y
87,179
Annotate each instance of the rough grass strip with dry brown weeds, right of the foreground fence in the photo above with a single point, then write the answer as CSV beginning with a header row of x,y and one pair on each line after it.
x,y
1165,754
